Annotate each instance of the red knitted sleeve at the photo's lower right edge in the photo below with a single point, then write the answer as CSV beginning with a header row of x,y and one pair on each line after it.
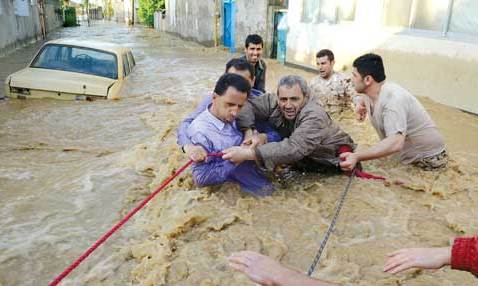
x,y
464,254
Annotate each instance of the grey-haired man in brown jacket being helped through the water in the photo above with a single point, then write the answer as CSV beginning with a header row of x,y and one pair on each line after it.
x,y
312,141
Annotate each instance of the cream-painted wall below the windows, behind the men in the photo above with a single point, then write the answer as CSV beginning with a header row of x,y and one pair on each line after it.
x,y
427,64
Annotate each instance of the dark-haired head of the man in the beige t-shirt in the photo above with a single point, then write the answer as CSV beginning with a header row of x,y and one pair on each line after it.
x,y
367,71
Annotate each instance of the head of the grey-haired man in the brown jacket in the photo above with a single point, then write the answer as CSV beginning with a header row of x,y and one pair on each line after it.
x,y
292,94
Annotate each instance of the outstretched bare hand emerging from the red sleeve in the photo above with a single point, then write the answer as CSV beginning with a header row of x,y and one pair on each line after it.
x,y
424,258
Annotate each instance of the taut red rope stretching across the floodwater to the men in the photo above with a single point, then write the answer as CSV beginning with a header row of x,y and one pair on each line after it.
x,y
105,236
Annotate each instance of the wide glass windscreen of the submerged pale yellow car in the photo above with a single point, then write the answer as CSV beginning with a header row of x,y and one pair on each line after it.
x,y
77,59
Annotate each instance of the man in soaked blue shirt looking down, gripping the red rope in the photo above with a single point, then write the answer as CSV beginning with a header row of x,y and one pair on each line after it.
x,y
215,130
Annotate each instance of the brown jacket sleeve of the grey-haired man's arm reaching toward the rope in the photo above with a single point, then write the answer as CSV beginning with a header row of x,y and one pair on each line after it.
x,y
302,142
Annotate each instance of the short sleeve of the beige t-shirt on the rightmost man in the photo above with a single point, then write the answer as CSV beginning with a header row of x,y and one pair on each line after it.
x,y
394,119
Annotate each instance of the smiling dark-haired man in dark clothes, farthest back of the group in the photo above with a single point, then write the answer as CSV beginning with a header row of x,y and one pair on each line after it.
x,y
253,54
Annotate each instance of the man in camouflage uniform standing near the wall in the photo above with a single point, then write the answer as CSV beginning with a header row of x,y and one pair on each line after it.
x,y
334,90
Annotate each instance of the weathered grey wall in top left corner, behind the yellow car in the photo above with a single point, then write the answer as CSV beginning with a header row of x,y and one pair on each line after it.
x,y
16,30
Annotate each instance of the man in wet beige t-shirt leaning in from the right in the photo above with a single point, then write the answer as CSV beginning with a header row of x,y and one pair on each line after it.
x,y
400,120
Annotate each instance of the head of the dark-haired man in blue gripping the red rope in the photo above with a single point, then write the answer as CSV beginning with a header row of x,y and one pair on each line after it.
x,y
229,96
